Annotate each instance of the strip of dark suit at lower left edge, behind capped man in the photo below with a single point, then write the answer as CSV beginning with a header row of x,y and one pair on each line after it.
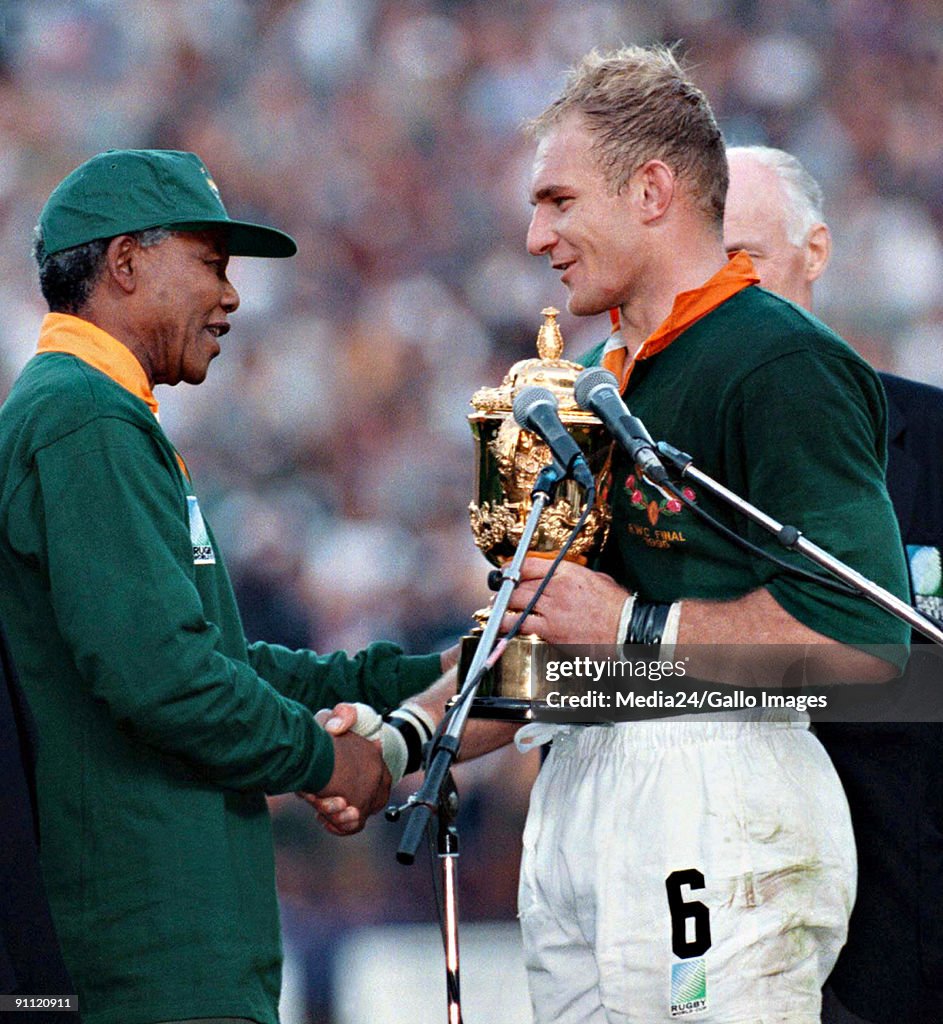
x,y
31,963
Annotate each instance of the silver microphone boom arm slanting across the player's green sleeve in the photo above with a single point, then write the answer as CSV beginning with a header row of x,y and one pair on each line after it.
x,y
793,539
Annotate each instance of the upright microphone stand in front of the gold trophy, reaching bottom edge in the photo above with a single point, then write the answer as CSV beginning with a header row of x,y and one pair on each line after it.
x,y
438,795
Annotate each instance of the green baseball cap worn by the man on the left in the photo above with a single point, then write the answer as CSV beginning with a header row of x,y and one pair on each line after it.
x,y
124,191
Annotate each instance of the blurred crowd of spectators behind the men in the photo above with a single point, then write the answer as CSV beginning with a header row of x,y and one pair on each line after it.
x,y
330,445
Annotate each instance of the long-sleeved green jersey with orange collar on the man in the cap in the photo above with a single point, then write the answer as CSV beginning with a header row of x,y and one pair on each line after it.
x,y
160,731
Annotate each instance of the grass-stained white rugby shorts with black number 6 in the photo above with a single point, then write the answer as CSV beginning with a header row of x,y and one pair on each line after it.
x,y
685,871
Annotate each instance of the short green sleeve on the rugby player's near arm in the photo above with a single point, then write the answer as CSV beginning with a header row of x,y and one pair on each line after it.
x,y
813,429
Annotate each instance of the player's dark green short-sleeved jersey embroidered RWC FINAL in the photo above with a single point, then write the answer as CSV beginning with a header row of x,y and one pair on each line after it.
x,y
778,408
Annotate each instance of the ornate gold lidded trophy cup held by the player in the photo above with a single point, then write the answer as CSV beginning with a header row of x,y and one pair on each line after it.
x,y
508,461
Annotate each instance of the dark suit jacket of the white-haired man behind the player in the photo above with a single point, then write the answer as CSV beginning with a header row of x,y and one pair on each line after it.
x,y
891,971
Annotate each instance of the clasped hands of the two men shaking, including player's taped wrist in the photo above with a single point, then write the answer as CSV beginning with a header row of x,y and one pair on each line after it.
x,y
371,755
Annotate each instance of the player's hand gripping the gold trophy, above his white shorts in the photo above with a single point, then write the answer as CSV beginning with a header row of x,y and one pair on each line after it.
x,y
580,606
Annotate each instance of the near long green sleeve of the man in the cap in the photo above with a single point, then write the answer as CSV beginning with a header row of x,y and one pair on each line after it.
x,y
122,583
